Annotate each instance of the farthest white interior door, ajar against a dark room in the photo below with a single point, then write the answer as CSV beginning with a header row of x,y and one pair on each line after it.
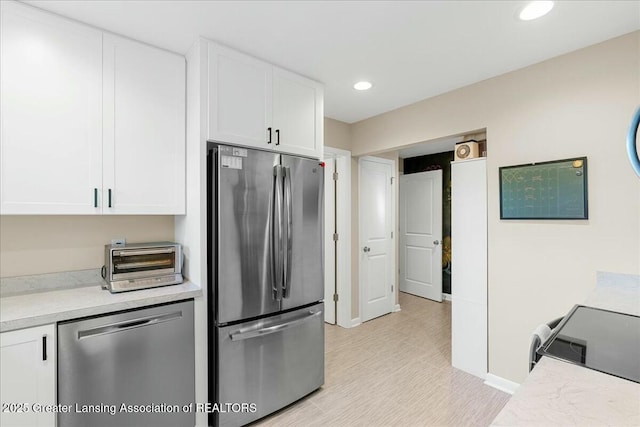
x,y
421,234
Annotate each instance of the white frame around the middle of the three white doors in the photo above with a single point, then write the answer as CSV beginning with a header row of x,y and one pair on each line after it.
x,y
393,249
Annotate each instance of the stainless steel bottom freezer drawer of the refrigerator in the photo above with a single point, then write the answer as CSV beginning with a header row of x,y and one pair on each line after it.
x,y
270,362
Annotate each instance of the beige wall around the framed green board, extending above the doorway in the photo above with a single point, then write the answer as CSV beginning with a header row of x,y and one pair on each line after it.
x,y
577,104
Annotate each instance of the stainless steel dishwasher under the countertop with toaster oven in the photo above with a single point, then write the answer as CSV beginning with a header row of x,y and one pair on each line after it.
x,y
133,368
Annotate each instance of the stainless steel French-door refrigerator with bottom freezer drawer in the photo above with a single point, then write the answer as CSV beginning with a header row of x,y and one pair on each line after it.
x,y
266,281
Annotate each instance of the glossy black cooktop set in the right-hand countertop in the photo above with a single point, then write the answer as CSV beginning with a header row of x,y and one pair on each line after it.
x,y
602,340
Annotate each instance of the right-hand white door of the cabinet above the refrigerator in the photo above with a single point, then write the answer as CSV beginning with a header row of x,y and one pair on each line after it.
x,y
297,114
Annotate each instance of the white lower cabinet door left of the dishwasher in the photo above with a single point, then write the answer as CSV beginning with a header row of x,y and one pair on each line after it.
x,y
28,372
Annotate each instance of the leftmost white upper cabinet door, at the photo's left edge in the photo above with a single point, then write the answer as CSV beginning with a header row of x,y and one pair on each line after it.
x,y
51,100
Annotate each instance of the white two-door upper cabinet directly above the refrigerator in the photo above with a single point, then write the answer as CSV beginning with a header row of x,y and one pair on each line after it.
x,y
256,104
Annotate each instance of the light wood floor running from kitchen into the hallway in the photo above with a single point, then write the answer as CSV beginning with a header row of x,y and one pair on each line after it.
x,y
394,371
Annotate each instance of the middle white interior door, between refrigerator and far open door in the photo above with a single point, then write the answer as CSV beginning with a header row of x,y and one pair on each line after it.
x,y
377,258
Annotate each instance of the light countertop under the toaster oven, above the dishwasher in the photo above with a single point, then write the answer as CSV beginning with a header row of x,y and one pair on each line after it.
x,y
40,308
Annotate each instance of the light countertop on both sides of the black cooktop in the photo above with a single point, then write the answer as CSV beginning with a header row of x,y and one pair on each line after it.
x,y
560,393
